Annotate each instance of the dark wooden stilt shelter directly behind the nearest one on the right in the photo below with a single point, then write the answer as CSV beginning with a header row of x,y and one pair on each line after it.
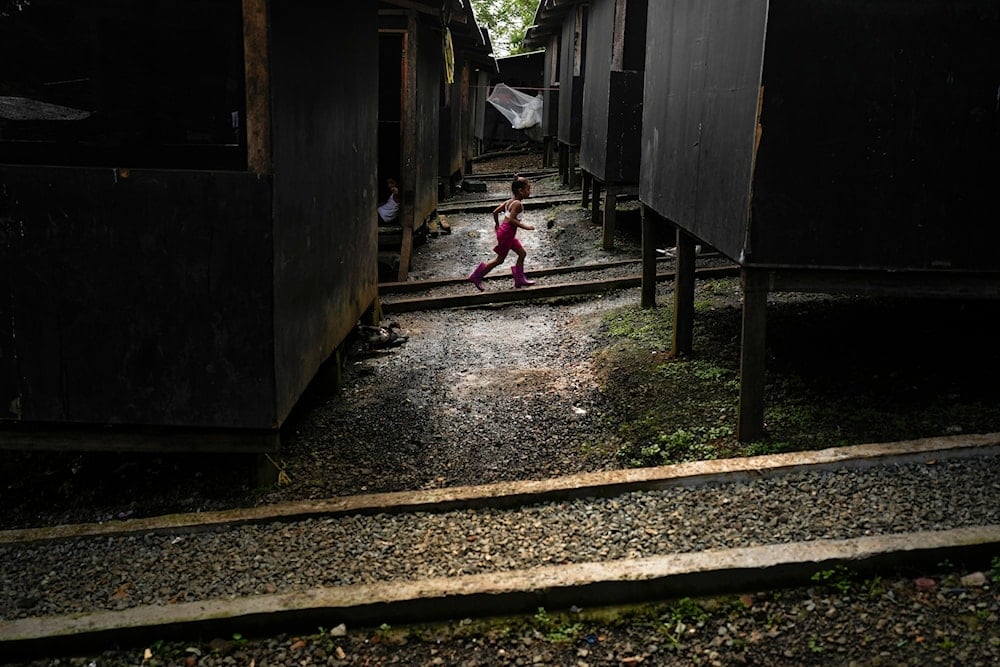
x,y
612,106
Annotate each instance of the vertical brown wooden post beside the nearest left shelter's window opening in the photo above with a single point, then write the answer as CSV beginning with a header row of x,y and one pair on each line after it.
x,y
258,86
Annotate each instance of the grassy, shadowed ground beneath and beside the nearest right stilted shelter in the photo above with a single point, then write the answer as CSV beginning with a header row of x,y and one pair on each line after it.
x,y
840,371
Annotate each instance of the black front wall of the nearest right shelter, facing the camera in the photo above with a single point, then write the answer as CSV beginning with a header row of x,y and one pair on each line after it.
x,y
879,144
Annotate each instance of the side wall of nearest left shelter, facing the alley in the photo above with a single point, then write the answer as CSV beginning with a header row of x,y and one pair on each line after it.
x,y
325,160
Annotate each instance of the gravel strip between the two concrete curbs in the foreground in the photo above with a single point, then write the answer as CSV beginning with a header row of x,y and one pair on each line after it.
x,y
122,572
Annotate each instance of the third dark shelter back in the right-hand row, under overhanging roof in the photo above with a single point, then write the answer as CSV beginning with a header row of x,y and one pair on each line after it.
x,y
560,28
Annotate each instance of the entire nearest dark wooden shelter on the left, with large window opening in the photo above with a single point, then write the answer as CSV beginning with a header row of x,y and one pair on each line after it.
x,y
187,213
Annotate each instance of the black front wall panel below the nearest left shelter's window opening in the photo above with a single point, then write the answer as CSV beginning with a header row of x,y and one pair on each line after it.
x,y
141,297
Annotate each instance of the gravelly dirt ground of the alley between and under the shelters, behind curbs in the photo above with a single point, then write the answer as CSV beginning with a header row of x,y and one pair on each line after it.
x,y
841,370
